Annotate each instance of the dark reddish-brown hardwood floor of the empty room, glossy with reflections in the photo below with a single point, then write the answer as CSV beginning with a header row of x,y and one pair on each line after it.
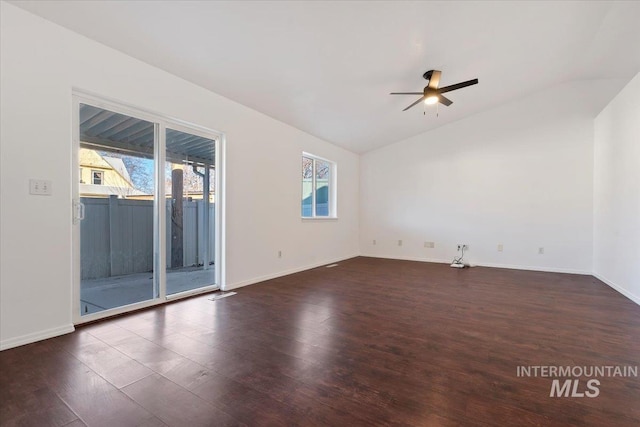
x,y
369,342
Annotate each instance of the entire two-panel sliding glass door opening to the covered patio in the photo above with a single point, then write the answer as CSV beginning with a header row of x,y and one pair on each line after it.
x,y
145,210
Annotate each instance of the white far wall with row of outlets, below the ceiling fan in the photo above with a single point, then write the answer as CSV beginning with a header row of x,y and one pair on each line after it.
x,y
519,175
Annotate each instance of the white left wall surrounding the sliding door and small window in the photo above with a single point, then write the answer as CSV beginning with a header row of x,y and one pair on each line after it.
x,y
40,64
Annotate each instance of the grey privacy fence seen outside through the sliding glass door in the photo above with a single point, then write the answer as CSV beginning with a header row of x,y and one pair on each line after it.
x,y
116,236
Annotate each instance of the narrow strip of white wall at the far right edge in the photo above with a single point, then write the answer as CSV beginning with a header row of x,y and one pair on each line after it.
x,y
616,242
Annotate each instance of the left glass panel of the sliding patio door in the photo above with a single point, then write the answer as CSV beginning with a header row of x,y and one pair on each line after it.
x,y
116,189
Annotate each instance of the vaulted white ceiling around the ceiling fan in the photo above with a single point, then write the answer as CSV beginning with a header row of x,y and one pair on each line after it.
x,y
327,67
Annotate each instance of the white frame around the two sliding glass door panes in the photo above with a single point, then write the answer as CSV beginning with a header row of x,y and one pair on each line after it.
x,y
161,123
